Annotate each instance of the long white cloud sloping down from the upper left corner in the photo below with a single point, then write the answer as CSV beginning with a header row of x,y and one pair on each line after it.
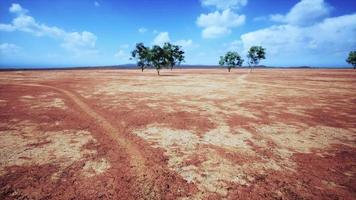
x,y
76,42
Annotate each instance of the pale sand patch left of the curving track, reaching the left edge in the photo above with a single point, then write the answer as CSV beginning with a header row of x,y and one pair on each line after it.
x,y
24,145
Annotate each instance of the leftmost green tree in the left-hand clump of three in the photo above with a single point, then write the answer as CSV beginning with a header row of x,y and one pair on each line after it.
x,y
143,56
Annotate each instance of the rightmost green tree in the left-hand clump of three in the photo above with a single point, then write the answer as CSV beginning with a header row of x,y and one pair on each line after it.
x,y
173,54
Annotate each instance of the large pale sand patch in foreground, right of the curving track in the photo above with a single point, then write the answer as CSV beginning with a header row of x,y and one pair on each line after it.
x,y
213,173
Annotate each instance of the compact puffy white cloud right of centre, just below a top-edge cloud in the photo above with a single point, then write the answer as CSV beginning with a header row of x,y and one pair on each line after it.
x,y
218,24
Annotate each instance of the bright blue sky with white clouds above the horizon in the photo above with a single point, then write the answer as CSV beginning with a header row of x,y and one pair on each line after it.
x,y
58,33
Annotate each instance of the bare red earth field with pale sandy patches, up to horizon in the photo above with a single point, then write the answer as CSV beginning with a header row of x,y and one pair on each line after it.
x,y
188,134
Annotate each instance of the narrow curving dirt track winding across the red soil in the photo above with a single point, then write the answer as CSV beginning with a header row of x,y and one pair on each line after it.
x,y
143,174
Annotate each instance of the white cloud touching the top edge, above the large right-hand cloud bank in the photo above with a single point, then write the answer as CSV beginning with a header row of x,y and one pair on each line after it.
x,y
305,12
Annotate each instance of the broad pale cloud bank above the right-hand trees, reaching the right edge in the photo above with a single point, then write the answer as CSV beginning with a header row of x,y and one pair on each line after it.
x,y
329,37
